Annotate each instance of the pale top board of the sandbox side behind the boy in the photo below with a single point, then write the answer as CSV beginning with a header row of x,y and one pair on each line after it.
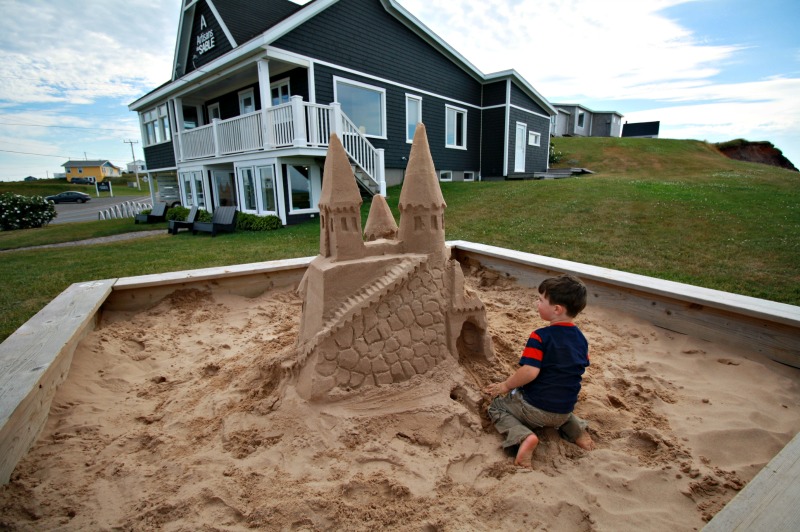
x,y
738,304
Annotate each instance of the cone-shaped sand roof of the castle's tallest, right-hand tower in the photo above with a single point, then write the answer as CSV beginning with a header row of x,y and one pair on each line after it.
x,y
421,185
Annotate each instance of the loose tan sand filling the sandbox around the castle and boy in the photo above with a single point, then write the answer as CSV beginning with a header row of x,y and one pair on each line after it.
x,y
180,418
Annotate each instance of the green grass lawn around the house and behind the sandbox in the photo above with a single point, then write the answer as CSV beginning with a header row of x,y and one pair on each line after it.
x,y
670,209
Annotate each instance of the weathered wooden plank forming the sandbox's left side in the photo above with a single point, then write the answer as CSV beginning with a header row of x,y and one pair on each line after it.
x,y
35,360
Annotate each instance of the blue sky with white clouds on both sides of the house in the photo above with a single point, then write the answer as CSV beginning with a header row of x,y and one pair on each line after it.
x,y
711,70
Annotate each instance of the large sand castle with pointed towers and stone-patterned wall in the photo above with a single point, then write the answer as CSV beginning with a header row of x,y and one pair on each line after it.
x,y
384,310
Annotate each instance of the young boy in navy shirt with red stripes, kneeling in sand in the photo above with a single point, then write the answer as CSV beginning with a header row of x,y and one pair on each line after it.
x,y
545,388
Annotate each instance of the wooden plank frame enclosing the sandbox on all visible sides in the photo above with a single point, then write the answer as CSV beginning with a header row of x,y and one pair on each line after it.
x,y
36,358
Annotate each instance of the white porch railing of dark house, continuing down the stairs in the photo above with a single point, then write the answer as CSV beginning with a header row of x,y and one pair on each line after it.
x,y
293,124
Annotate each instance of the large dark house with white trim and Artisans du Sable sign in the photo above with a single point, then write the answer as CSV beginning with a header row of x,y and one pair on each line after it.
x,y
258,86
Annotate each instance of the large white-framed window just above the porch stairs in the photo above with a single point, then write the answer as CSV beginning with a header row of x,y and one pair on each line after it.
x,y
364,104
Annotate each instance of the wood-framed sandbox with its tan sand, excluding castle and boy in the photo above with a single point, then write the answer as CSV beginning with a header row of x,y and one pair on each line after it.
x,y
165,418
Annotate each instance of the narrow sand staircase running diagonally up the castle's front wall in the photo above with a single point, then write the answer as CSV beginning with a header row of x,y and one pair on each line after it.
x,y
367,296
